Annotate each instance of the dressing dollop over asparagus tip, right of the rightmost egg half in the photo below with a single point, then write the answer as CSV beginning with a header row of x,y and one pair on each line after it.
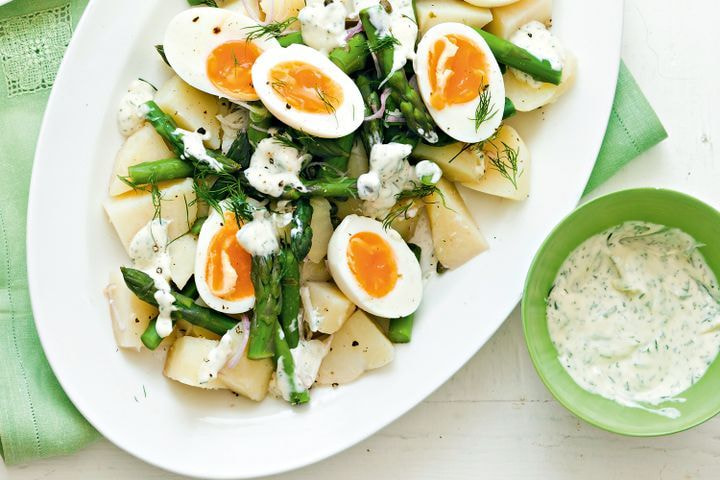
x,y
538,40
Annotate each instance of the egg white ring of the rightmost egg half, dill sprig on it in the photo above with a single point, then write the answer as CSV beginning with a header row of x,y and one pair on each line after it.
x,y
458,121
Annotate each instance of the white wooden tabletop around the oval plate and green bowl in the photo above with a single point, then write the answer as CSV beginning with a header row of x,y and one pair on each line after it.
x,y
494,419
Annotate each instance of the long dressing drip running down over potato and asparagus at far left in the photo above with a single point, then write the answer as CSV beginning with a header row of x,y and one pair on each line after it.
x,y
148,251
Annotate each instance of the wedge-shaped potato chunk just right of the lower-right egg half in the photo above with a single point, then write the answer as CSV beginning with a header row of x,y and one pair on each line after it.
x,y
455,235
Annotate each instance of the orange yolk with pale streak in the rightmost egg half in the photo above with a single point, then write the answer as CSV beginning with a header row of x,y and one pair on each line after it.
x,y
457,71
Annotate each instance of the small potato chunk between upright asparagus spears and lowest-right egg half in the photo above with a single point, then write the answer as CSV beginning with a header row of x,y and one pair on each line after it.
x,y
325,307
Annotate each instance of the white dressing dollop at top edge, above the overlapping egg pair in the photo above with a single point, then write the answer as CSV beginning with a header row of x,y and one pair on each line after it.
x,y
323,26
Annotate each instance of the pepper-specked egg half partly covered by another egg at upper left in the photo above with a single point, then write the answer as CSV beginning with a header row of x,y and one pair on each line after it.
x,y
209,49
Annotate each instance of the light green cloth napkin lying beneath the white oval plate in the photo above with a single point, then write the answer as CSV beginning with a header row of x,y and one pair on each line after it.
x,y
36,417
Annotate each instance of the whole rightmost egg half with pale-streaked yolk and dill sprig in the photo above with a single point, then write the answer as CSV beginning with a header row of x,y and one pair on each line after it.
x,y
460,82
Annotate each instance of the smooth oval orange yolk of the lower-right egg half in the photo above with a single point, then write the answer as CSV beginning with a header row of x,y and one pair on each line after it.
x,y
372,262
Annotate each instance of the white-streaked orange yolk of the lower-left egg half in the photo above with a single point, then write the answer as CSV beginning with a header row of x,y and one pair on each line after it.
x,y
227,271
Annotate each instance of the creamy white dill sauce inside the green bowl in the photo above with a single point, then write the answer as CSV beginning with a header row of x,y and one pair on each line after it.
x,y
634,315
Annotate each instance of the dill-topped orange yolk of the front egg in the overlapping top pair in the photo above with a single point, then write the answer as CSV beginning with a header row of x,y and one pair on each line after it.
x,y
305,87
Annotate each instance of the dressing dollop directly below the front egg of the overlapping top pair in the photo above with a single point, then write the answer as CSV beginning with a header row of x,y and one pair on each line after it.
x,y
274,166
